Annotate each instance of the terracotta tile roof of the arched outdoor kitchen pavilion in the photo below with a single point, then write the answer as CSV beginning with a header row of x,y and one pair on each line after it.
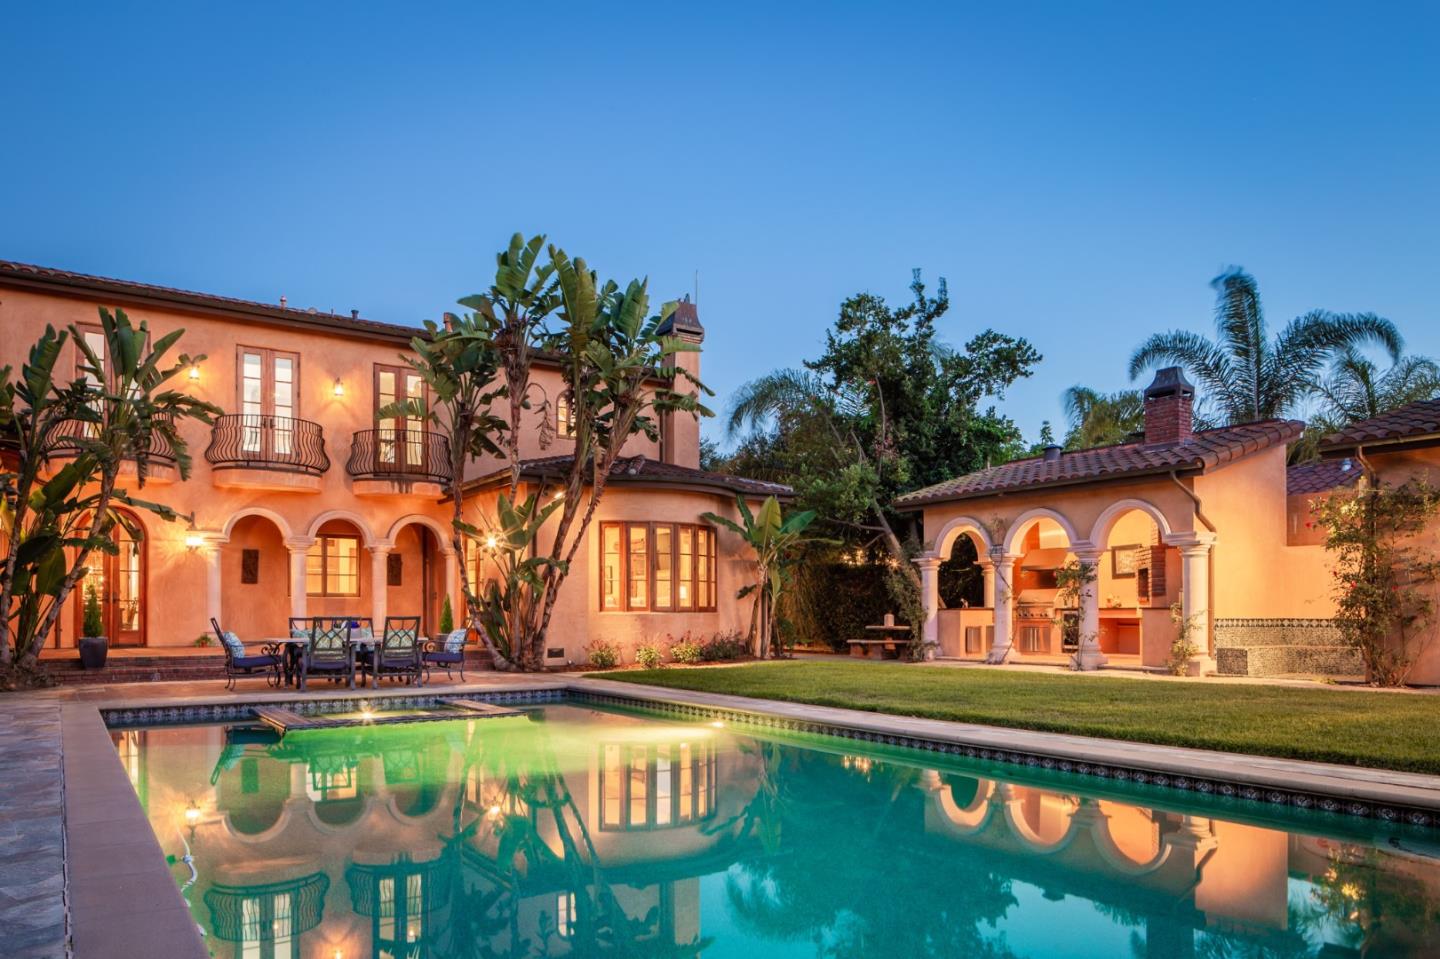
x,y
1203,451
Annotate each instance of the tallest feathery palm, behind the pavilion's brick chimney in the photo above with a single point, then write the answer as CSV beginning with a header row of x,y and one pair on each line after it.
x,y
1246,374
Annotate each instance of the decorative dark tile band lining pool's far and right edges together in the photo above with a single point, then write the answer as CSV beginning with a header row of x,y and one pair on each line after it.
x,y
120,718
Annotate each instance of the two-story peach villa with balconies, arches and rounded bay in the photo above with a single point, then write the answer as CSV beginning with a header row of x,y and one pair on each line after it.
x,y
306,503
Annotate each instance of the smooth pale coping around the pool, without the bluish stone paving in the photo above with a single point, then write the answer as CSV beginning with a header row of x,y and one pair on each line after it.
x,y
106,824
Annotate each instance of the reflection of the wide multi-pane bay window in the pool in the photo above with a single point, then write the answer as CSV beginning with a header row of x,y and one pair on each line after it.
x,y
647,787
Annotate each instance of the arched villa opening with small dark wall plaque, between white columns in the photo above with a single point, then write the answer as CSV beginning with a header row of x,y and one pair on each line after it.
x,y
256,577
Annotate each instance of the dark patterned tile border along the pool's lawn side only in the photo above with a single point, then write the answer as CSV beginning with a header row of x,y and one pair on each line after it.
x,y
1207,787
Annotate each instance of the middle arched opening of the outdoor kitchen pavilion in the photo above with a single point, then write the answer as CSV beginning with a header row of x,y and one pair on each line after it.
x,y
1046,611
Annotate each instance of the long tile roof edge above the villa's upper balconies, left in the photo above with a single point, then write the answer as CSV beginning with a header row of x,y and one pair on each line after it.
x,y
45,277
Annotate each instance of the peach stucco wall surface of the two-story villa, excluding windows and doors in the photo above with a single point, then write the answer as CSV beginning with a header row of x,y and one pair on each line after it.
x,y
293,512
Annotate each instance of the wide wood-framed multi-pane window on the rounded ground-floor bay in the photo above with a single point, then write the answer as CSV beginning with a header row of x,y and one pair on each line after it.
x,y
659,567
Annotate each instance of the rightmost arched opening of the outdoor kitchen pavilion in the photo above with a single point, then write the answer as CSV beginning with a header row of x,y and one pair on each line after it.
x,y
1137,581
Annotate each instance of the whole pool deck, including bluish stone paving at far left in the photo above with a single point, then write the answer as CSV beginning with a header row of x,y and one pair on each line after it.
x,y
81,872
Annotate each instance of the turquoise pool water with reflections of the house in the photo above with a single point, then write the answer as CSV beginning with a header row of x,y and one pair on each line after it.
x,y
582,832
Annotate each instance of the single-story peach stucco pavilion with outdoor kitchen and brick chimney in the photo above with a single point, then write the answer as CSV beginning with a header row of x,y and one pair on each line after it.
x,y
1213,522
